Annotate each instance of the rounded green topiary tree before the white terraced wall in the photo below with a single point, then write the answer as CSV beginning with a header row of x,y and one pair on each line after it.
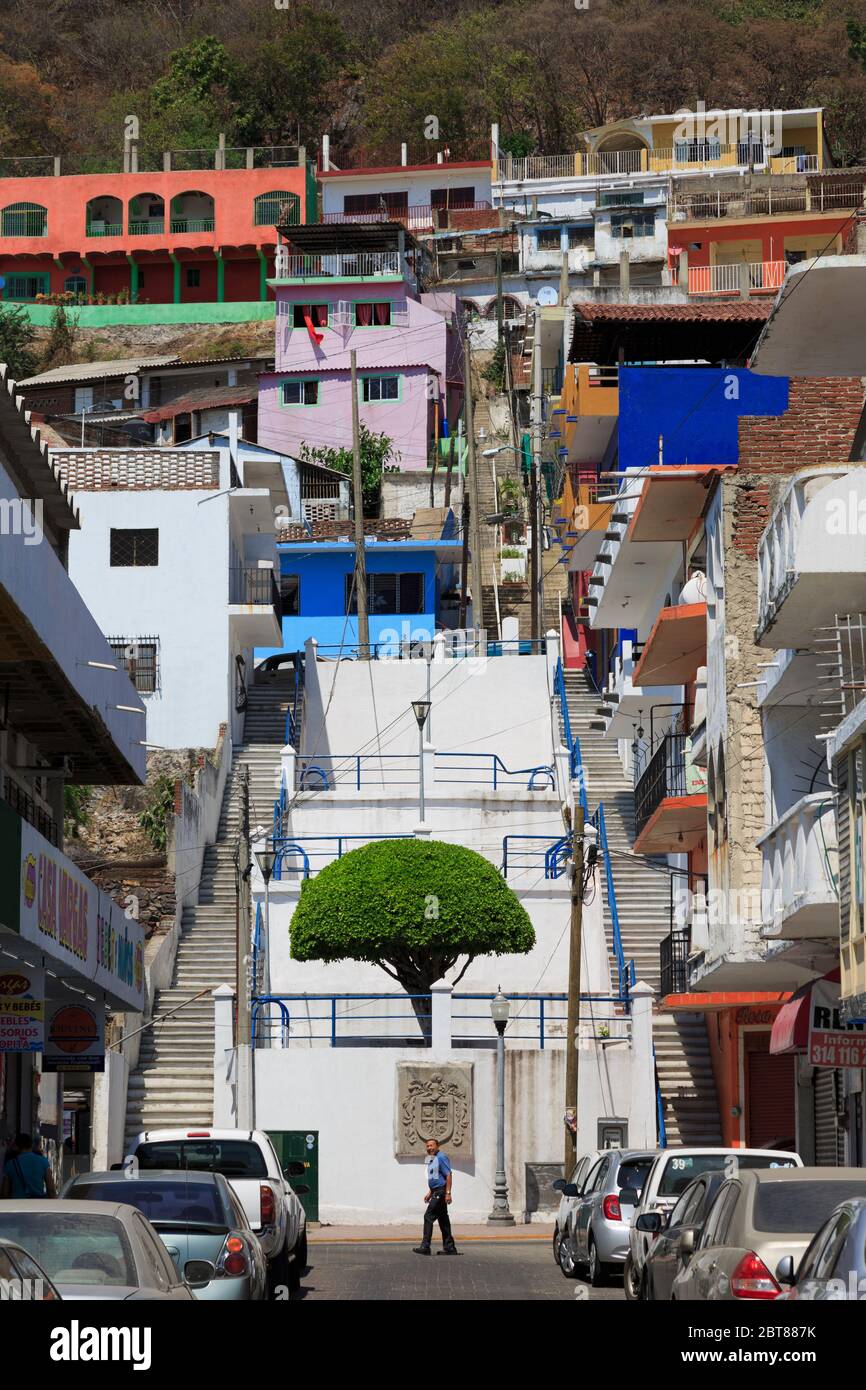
x,y
414,908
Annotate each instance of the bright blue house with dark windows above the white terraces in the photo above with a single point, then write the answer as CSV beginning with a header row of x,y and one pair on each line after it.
x,y
412,590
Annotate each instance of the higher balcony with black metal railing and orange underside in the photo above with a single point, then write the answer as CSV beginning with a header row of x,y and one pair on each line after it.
x,y
671,800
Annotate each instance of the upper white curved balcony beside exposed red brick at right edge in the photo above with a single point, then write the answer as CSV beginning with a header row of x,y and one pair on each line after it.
x,y
811,558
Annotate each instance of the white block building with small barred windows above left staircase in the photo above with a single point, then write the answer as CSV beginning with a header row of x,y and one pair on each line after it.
x,y
177,558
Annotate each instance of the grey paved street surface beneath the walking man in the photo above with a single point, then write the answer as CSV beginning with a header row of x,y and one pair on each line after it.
x,y
486,1271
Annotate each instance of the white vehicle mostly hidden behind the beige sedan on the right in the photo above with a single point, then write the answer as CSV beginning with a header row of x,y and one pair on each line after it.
x,y
671,1175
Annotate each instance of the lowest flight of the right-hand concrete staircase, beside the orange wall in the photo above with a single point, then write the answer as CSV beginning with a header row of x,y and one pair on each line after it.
x,y
686,1079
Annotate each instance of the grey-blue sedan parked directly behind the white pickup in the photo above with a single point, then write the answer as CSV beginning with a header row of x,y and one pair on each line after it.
x,y
197,1217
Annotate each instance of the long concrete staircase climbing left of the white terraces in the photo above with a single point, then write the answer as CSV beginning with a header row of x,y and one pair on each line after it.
x,y
174,1079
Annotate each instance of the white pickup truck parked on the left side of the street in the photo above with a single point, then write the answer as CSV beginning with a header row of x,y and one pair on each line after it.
x,y
250,1161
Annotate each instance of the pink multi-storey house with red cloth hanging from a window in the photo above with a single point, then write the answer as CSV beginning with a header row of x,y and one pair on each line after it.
x,y
345,288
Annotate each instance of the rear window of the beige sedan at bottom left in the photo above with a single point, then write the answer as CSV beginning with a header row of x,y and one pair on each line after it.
x,y
72,1249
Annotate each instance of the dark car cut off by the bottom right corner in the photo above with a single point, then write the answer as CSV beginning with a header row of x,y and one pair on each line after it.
x,y
835,1266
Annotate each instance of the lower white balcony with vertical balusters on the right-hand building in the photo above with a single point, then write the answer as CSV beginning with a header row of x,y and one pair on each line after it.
x,y
800,882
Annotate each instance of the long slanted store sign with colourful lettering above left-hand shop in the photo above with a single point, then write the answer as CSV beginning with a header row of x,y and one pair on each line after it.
x,y
66,915
